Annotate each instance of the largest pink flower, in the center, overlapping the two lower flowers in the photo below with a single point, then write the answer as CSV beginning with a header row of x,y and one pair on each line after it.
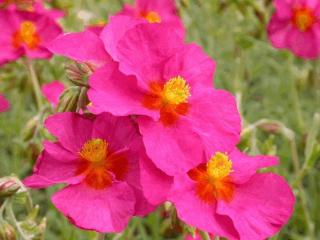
x,y
165,86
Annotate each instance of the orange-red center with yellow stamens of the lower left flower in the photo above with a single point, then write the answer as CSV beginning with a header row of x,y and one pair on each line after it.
x,y
99,165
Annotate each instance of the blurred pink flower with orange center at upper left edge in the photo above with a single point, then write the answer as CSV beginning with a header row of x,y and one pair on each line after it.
x,y
25,33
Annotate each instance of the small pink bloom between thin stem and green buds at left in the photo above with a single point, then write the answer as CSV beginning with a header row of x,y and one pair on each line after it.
x,y
52,92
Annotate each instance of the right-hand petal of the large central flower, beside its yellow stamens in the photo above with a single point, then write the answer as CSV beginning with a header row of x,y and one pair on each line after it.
x,y
215,118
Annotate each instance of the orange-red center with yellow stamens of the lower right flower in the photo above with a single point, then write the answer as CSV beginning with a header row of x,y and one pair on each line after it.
x,y
213,180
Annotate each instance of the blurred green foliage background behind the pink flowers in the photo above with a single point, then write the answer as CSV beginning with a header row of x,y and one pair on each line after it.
x,y
278,95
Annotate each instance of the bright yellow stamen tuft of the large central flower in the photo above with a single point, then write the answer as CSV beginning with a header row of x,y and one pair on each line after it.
x,y
176,91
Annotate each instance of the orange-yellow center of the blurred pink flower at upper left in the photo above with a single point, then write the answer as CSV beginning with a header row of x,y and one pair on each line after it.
x,y
27,35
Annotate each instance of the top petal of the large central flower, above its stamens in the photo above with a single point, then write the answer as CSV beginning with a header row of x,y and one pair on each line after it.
x,y
144,50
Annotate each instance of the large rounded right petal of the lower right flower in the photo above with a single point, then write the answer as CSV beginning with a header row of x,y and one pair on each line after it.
x,y
260,207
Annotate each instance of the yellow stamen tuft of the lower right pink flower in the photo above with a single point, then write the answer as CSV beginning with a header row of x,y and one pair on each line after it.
x,y
219,166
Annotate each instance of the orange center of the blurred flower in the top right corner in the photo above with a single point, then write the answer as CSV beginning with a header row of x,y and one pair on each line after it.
x,y
303,19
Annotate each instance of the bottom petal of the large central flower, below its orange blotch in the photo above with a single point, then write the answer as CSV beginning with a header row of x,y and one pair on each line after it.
x,y
173,149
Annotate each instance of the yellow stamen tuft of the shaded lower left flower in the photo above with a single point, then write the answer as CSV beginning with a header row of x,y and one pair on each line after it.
x,y
95,150
